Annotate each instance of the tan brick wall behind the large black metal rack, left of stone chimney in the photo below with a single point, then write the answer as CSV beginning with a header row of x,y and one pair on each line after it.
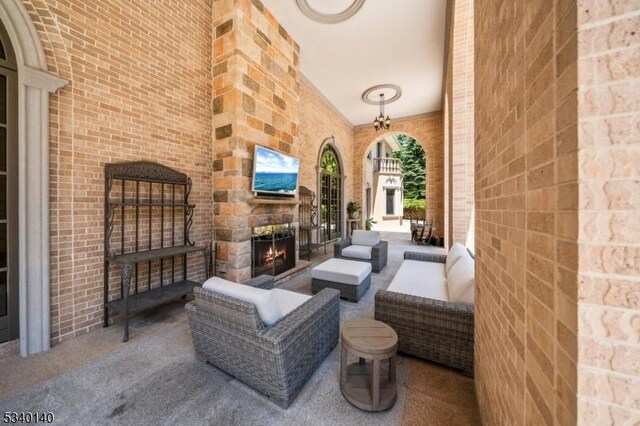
x,y
139,88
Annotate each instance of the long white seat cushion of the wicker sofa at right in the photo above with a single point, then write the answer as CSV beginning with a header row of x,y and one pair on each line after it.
x,y
422,279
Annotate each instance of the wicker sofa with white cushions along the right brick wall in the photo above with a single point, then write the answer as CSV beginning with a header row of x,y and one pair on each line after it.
x,y
433,320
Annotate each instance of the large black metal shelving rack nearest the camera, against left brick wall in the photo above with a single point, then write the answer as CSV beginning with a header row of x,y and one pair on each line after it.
x,y
131,212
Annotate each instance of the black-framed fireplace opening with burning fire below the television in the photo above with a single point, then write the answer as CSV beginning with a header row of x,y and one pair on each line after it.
x,y
273,249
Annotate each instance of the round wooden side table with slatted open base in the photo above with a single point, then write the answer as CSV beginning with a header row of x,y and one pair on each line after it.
x,y
361,383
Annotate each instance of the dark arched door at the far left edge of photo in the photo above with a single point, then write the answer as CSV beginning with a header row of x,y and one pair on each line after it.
x,y
9,283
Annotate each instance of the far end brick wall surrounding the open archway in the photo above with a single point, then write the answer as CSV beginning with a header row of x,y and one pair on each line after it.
x,y
428,131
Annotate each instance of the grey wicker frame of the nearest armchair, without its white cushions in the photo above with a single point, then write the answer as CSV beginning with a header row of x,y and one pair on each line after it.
x,y
276,360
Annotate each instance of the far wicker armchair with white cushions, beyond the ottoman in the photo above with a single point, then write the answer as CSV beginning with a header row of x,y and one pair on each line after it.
x,y
365,246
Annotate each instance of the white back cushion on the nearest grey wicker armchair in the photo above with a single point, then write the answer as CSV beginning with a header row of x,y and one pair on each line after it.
x,y
264,301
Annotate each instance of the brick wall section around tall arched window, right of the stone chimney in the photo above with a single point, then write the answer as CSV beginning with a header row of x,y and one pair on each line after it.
x,y
319,122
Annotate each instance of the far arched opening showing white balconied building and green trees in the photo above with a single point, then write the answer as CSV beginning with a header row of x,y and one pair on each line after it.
x,y
394,183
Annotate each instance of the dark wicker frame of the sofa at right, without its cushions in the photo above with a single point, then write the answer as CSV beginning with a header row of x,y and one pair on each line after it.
x,y
431,329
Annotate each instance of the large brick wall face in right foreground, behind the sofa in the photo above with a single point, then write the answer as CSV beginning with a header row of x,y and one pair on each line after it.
x,y
526,211
